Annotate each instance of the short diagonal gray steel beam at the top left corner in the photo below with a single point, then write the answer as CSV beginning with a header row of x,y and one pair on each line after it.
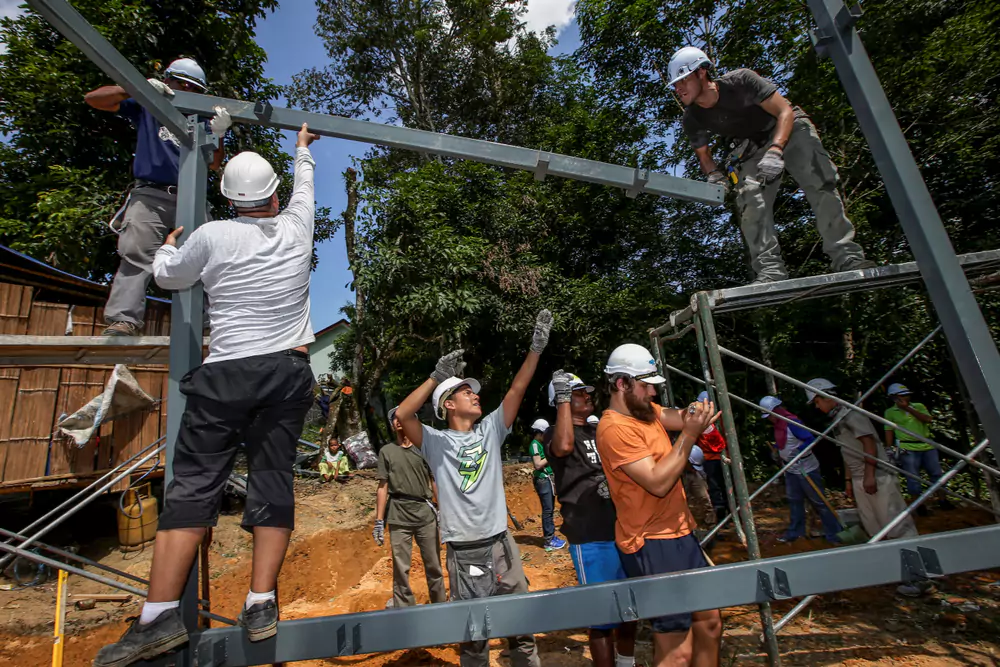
x,y
76,29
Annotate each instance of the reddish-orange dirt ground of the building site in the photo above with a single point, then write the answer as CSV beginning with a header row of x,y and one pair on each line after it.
x,y
333,566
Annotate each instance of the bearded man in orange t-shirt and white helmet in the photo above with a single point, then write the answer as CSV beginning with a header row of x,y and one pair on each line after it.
x,y
654,530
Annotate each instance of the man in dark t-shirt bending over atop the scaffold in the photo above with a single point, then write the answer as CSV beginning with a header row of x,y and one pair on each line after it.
x,y
773,136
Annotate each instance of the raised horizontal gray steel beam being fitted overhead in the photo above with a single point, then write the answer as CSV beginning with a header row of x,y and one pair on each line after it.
x,y
542,163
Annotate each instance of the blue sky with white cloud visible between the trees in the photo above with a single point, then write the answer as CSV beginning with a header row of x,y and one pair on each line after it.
x,y
292,24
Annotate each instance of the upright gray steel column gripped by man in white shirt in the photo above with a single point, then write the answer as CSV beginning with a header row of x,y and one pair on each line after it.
x,y
186,332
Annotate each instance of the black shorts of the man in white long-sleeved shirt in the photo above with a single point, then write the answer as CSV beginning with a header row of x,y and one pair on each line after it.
x,y
258,401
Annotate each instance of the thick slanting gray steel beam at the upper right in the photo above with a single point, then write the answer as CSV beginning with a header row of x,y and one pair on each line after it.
x,y
967,332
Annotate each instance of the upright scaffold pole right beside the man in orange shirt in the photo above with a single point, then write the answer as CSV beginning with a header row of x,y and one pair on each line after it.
x,y
704,315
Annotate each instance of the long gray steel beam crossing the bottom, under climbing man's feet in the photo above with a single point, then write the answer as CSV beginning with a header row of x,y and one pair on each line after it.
x,y
582,606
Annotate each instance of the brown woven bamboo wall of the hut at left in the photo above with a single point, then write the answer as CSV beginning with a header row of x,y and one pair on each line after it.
x,y
32,399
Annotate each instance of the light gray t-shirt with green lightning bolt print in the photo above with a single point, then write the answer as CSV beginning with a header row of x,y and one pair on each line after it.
x,y
469,475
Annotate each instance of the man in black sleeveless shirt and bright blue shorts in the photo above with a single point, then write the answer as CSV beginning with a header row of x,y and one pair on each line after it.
x,y
587,510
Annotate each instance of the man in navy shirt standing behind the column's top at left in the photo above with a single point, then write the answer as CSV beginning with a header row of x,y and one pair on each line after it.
x,y
150,210
